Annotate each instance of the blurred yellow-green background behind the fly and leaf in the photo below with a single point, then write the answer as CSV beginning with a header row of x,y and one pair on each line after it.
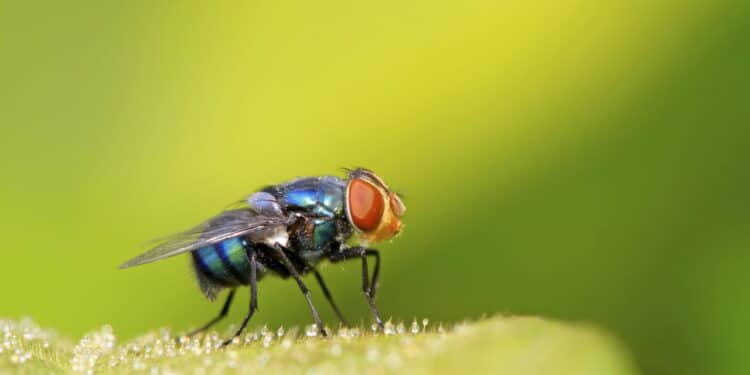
x,y
580,160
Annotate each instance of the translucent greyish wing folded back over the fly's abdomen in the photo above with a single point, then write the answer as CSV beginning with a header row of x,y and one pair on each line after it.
x,y
228,224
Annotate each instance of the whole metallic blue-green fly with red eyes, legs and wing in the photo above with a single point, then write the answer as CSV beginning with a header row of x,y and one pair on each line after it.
x,y
287,230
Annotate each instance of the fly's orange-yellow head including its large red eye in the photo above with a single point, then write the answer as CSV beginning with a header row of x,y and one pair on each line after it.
x,y
371,207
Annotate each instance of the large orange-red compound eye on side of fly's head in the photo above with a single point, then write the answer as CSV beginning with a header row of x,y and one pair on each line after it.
x,y
366,205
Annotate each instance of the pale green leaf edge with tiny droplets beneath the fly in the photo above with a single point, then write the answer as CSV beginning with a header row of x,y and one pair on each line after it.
x,y
504,345
